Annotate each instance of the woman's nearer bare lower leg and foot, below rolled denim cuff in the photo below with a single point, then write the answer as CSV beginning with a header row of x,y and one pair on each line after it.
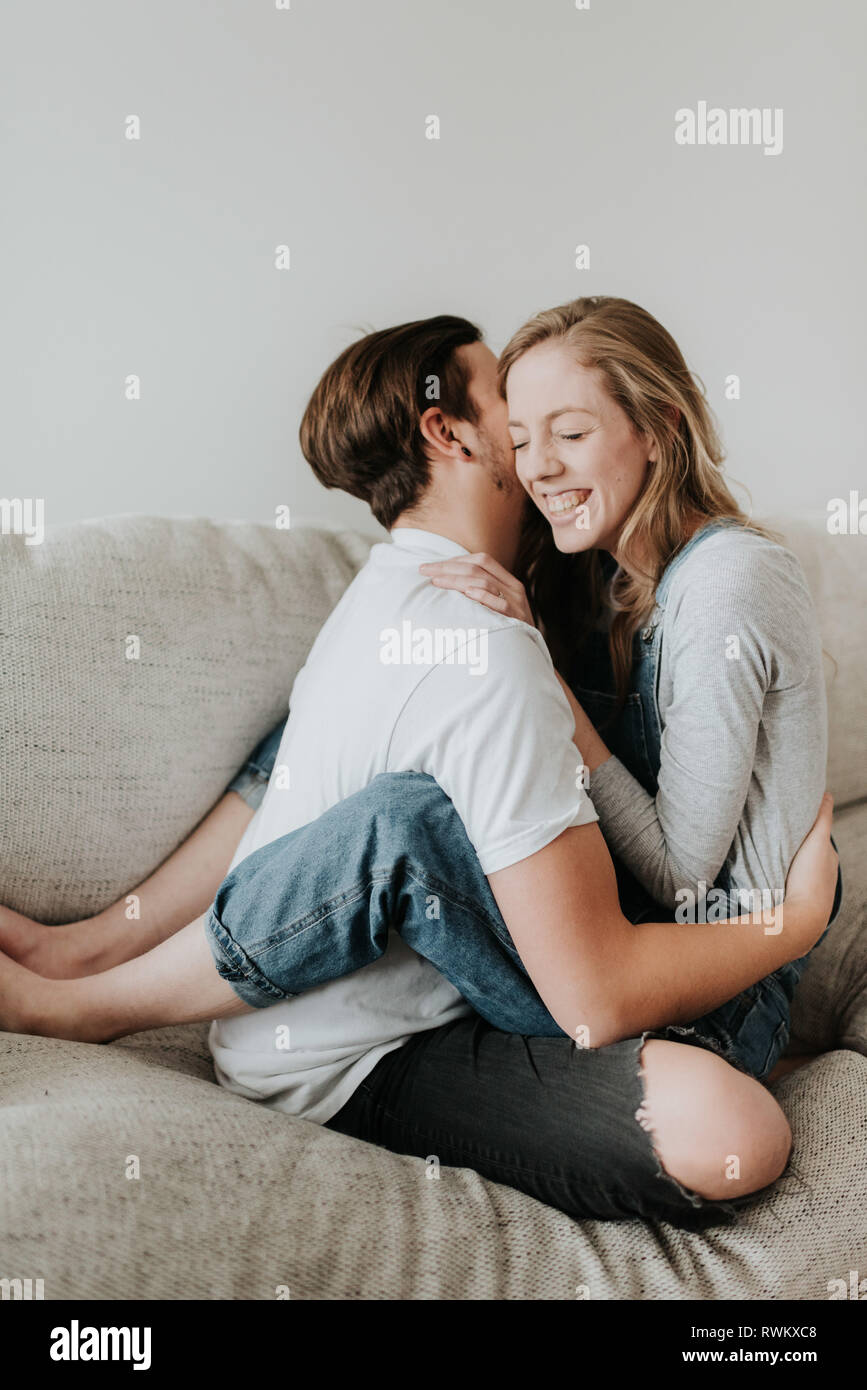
x,y
174,983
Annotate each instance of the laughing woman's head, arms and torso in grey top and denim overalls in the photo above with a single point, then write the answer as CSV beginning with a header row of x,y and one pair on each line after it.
x,y
687,637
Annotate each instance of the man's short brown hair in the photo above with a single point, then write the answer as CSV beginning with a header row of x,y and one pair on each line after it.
x,y
361,430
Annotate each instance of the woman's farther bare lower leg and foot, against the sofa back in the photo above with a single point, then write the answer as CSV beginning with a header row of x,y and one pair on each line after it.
x,y
177,893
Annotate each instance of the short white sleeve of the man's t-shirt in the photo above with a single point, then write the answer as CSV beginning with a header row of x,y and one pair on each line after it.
x,y
499,743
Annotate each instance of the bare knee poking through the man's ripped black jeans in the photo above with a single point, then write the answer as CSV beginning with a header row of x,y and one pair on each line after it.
x,y
718,1132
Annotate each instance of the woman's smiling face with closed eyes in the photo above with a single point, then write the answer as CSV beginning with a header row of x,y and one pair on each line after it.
x,y
576,451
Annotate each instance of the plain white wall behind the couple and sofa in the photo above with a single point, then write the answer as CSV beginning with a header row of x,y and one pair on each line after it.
x,y
308,127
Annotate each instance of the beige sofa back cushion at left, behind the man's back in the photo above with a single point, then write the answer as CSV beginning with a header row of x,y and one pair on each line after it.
x,y
110,762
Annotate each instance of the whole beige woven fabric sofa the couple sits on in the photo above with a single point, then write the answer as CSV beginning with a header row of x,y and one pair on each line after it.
x,y
109,764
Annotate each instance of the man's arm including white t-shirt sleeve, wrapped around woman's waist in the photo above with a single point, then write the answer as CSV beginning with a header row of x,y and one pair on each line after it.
x,y
501,747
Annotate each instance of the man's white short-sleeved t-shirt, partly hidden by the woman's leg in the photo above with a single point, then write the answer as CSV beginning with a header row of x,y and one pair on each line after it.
x,y
402,678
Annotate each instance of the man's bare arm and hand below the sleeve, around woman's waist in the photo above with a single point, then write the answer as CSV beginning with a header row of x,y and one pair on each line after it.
x,y
598,972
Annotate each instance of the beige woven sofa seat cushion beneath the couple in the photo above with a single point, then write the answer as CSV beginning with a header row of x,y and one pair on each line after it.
x,y
124,1178
